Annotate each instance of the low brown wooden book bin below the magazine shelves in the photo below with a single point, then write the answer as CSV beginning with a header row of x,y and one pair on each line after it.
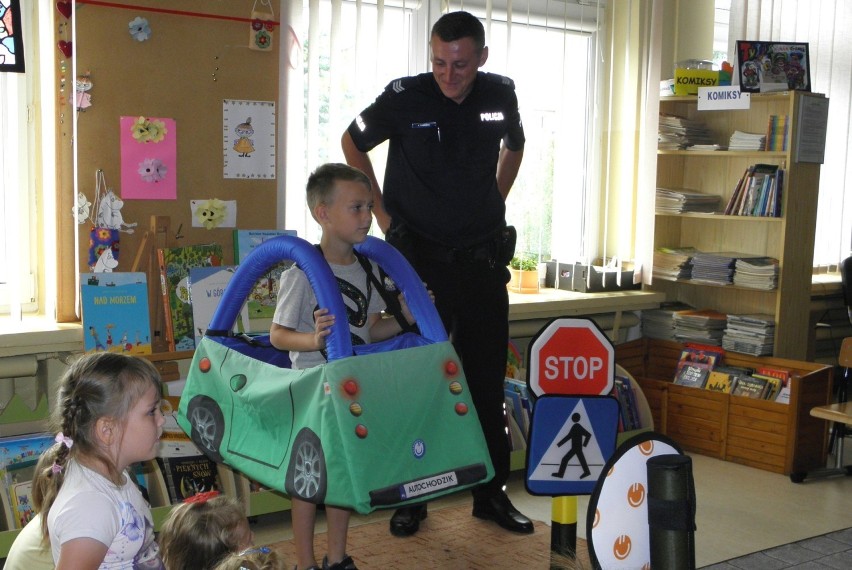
x,y
783,438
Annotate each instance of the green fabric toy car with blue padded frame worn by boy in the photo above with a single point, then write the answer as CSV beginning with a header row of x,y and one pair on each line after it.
x,y
389,425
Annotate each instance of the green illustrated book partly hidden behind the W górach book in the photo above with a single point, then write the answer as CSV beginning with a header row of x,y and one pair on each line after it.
x,y
174,264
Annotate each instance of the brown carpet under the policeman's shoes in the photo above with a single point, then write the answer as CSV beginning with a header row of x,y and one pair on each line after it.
x,y
450,538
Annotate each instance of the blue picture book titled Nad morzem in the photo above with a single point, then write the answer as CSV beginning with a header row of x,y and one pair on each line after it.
x,y
115,314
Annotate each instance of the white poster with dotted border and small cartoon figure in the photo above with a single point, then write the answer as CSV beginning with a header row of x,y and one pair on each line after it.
x,y
248,139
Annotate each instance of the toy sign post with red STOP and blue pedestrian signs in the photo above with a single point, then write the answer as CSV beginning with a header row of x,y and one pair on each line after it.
x,y
568,358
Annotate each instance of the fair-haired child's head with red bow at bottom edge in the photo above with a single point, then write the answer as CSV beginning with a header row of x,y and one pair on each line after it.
x,y
199,533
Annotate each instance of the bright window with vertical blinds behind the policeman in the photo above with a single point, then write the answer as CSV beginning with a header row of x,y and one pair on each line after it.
x,y
335,74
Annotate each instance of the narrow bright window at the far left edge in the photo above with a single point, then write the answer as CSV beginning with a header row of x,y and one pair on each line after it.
x,y
25,99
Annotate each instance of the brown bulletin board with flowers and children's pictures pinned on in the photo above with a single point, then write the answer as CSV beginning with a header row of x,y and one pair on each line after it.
x,y
175,65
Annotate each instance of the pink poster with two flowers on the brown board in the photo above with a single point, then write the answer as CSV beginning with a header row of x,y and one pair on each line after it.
x,y
148,158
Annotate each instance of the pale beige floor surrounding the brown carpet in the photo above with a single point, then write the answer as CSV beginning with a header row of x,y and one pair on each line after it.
x,y
740,511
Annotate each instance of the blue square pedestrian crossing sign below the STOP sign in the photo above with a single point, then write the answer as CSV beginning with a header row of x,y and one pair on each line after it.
x,y
571,439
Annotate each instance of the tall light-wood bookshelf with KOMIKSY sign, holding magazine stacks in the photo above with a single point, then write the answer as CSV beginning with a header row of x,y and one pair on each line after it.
x,y
789,238
